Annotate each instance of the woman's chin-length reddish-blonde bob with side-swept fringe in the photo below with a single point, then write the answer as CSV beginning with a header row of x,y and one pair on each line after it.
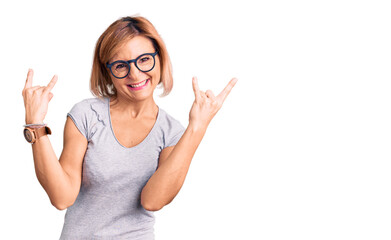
x,y
112,39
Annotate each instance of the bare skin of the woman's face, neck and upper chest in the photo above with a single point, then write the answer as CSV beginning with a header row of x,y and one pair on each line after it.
x,y
133,112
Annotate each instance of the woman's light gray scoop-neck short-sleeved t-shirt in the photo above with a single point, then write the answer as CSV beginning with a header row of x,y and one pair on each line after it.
x,y
113,176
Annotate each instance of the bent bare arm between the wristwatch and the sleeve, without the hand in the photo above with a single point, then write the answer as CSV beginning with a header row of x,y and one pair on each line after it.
x,y
61,179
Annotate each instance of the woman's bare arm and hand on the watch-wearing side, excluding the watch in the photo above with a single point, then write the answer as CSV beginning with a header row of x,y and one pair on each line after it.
x,y
60,179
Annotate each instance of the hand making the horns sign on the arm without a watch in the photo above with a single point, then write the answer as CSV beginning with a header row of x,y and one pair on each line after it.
x,y
206,104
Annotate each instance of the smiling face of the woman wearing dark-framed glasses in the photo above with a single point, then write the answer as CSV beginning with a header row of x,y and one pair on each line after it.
x,y
137,85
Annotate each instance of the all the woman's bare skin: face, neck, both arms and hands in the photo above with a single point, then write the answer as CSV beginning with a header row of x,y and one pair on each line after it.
x,y
133,111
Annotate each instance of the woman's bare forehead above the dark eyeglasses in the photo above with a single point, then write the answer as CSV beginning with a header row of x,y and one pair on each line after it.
x,y
134,47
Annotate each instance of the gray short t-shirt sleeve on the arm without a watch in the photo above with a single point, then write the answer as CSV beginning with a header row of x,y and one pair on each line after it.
x,y
173,131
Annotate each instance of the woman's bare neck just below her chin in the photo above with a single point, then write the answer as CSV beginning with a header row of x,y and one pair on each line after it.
x,y
133,109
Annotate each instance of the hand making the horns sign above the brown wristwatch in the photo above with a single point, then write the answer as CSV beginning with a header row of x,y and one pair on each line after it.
x,y
36,99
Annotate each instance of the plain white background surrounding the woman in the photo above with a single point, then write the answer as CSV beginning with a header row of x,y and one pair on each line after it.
x,y
300,149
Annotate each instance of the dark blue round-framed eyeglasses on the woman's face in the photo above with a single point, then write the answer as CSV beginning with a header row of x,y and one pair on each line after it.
x,y
144,63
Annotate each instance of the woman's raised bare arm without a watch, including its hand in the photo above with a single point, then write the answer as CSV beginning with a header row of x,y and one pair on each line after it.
x,y
174,162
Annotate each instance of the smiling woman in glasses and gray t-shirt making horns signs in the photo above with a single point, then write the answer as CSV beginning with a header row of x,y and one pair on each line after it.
x,y
123,157
